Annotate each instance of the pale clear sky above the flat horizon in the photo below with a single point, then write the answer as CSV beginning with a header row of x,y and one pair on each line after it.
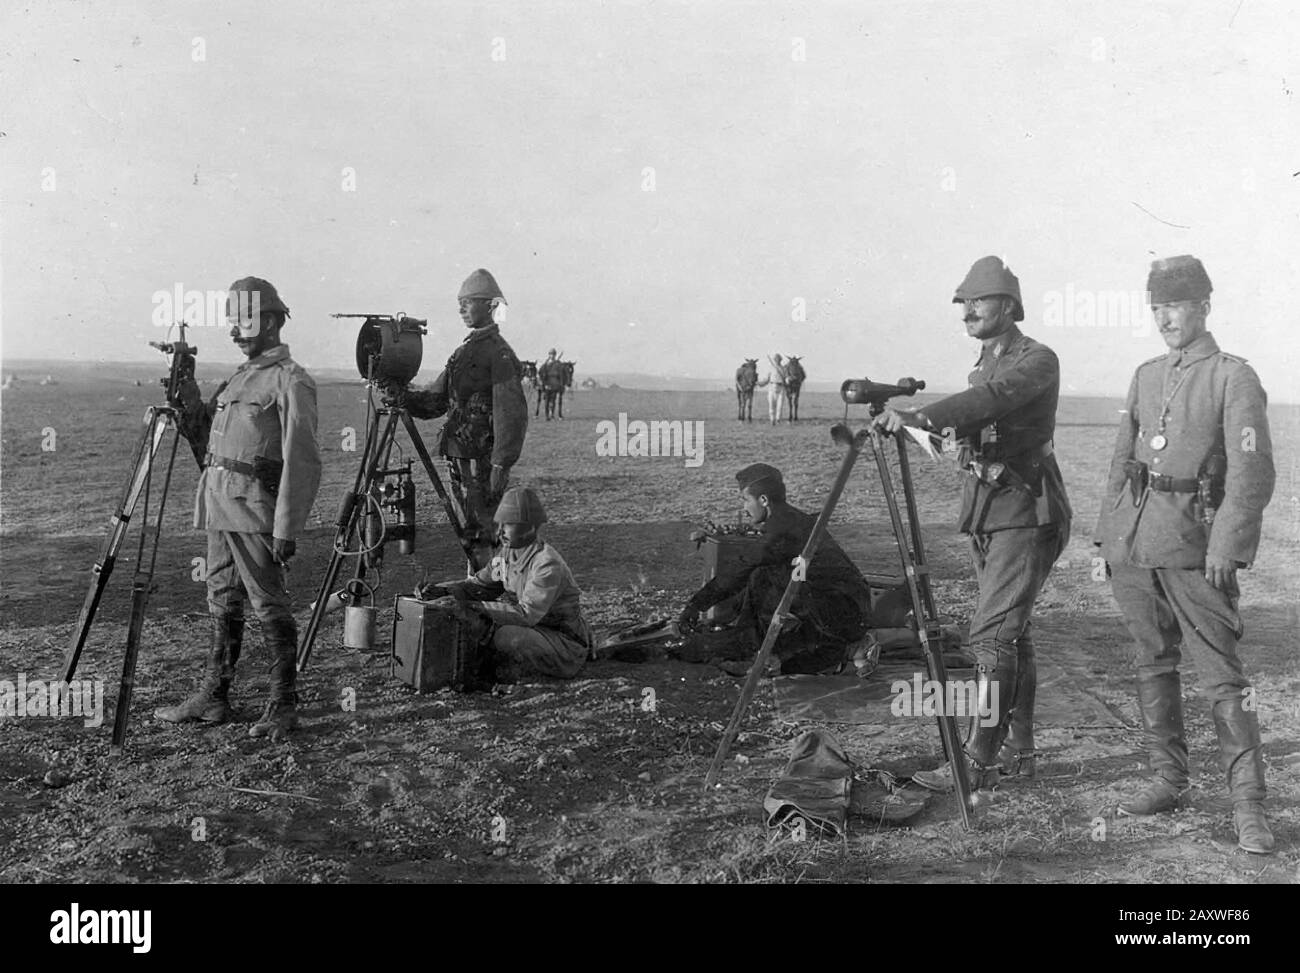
x,y
661,188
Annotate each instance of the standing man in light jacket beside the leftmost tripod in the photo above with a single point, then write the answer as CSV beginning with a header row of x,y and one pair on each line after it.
x,y
261,473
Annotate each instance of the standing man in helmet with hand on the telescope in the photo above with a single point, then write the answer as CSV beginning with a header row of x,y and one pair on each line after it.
x,y
1015,509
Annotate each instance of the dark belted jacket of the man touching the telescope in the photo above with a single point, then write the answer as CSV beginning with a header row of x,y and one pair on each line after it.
x,y
1008,416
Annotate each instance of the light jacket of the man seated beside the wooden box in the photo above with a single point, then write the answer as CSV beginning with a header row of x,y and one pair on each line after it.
x,y
532,586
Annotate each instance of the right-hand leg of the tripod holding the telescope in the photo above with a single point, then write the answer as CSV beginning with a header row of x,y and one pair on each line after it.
x,y
924,609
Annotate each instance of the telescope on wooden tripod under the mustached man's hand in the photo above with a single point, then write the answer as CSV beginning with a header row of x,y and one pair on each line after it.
x,y
911,552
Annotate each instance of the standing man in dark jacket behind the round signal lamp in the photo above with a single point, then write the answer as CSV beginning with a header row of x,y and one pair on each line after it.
x,y
487,412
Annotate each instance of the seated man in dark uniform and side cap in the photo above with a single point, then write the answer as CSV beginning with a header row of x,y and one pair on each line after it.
x,y
833,607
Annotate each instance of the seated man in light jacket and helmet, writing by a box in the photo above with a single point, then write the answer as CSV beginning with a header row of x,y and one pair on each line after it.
x,y
525,604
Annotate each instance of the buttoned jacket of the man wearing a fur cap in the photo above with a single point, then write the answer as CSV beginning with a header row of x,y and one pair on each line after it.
x,y
1216,407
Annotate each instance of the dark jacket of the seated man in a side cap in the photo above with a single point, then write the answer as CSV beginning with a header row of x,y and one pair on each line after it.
x,y
786,531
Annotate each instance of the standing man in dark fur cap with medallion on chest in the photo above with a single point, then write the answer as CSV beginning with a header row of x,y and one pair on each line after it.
x,y
1191,475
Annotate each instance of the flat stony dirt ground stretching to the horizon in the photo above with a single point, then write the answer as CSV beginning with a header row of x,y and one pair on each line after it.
x,y
570,782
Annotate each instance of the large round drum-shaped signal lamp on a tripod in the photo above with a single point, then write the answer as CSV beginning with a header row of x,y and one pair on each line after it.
x,y
389,351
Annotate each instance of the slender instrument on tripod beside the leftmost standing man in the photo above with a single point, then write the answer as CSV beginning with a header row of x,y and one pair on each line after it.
x,y
158,422
